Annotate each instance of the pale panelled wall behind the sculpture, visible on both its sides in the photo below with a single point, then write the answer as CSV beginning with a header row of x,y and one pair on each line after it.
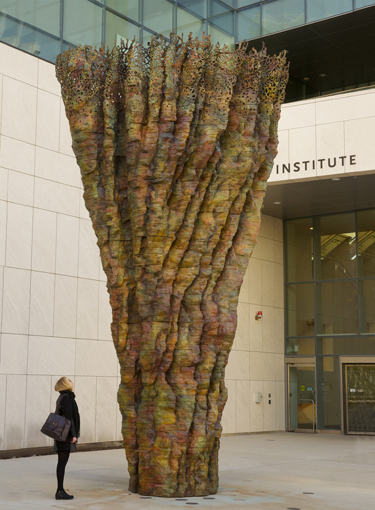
x,y
54,311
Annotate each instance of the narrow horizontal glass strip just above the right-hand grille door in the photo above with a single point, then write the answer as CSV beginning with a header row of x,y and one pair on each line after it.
x,y
354,345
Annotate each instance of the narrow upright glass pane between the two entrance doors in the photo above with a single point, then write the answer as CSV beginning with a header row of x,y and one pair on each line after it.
x,y
328,392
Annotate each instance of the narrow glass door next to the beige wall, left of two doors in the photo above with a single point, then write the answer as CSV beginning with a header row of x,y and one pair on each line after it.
x,y
301,397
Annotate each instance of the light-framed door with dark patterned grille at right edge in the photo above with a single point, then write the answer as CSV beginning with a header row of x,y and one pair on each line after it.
x,y
360,398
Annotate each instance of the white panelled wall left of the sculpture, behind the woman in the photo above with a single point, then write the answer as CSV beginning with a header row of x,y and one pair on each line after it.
x,y
54,310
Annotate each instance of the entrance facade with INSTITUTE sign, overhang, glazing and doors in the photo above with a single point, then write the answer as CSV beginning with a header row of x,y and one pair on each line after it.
x,y
324,175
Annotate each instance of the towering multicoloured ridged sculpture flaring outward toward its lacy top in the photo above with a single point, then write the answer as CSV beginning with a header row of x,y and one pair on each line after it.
x,y
175,144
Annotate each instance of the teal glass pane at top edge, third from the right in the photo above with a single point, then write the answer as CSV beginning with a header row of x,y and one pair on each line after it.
x,y
282,15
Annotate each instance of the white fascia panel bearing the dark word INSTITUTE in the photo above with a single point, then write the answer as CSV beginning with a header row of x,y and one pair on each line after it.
x,y
326,128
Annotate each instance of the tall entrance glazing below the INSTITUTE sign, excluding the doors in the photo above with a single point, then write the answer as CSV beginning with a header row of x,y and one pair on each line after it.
x,y
330,297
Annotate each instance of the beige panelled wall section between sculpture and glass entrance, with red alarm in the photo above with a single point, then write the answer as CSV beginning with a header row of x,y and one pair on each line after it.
x,y
256,363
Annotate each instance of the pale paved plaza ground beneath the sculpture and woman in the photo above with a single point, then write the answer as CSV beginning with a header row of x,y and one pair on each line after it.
x,y
276,471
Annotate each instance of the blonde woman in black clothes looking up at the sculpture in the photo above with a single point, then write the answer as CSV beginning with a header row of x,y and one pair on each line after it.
x,y
68,408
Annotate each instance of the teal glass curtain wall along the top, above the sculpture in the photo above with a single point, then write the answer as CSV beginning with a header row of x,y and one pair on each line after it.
x,y
46,27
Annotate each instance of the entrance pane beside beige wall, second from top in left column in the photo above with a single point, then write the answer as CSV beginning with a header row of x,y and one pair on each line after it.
x,y
300,306
